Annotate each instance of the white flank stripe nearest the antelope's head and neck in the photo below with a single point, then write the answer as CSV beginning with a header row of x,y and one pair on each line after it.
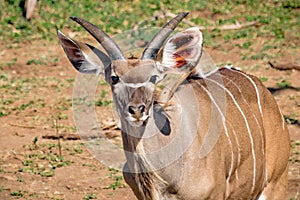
x,y
226,133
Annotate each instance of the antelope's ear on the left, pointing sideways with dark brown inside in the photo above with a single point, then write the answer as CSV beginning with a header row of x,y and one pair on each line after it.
x,y
84,57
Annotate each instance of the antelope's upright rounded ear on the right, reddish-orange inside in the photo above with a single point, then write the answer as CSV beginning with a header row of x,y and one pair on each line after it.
x,y
183,51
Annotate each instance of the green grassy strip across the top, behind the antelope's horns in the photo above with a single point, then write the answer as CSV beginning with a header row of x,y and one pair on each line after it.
x,y
276,17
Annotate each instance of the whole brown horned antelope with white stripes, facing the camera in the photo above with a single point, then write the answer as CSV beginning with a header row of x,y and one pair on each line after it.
x,y
216,135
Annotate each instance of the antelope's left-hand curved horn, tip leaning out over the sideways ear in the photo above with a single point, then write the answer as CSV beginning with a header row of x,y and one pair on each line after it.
x,y
107,43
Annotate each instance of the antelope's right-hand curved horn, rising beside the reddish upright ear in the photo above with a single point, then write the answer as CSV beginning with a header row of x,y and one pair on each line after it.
x,y
157,41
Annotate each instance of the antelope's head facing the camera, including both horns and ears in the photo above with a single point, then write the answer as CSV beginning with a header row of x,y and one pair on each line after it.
x,y
133,80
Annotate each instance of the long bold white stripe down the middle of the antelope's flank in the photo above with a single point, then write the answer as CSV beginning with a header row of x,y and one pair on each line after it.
x,y
248,129
